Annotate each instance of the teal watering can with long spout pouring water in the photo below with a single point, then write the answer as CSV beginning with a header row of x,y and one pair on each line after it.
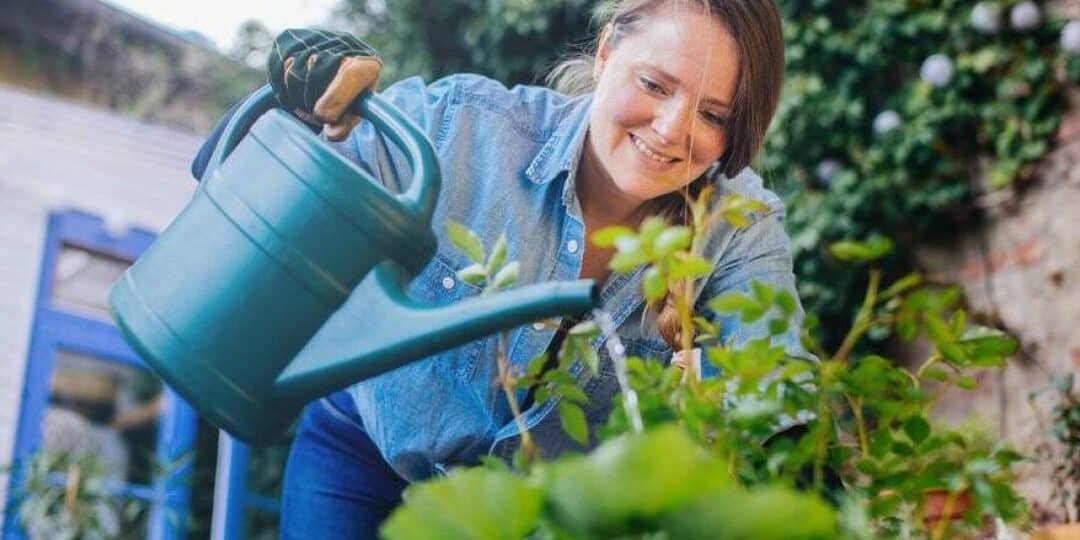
x,y
233,305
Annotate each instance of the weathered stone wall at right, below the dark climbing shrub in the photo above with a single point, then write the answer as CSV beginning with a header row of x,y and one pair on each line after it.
x,y
1021,271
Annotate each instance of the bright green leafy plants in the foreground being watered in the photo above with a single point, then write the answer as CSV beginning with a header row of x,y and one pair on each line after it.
x,y
690,458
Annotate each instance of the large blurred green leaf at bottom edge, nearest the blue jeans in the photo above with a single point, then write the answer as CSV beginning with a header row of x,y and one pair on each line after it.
x,y
501,506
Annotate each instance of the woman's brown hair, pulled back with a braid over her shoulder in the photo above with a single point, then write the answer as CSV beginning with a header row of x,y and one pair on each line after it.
x,y
757,30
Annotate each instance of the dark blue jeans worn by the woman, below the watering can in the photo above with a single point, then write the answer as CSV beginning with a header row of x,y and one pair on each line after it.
x,y
337,485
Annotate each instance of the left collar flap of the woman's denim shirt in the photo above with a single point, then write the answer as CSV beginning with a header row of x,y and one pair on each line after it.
x,y
561,153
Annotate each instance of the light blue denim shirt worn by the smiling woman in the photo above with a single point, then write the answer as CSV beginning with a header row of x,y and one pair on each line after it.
x,y
508,159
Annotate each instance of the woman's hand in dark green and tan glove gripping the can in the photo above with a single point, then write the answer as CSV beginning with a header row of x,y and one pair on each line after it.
x,y
318,74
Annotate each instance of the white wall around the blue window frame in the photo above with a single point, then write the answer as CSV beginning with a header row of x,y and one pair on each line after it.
x,y
56,155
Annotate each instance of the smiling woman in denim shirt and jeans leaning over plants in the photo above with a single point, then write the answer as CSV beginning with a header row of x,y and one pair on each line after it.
x,y
679,96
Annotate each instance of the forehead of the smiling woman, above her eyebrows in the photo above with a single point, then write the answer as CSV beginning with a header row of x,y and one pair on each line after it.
x,y
687,45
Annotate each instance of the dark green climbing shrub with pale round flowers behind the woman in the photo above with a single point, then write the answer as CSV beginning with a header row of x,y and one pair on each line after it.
x,y
897,118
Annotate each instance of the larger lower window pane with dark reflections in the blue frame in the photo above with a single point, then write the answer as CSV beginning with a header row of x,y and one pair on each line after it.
x,y
106,410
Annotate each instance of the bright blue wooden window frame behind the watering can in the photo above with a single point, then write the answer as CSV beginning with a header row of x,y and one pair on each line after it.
x,y
59,330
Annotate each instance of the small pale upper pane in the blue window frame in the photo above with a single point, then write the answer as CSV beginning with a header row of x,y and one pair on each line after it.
x,y
83,281
